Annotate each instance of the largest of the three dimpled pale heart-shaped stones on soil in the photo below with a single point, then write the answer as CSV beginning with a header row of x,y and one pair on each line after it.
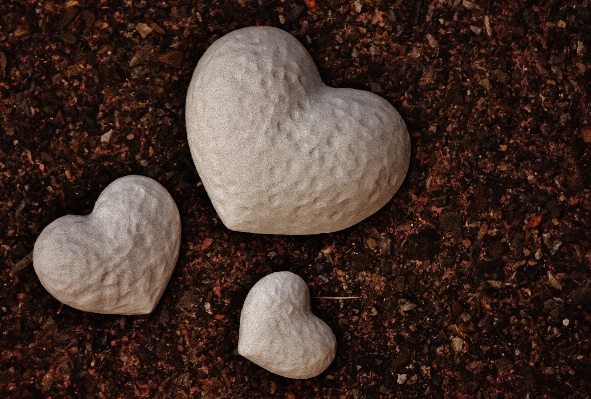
x,y
278,151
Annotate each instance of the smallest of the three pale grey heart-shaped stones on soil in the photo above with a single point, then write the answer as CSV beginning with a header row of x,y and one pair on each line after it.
x,y
279,332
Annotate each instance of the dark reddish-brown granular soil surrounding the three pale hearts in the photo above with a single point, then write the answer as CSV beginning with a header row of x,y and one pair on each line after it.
x,y
474,281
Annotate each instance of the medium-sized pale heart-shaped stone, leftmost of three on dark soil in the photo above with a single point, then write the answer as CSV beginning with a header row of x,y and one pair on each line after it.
x,y
119,258
